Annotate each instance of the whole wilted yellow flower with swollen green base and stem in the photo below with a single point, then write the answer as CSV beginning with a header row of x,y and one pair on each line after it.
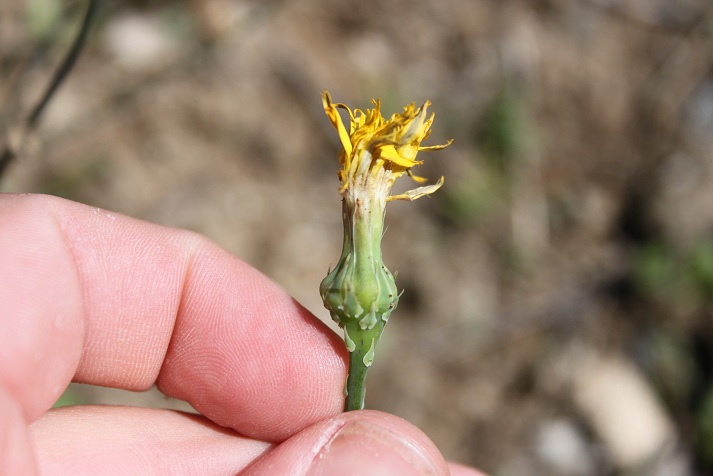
x,y
360,292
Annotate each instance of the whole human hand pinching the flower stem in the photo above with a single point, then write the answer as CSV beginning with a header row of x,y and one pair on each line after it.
x,y
95,297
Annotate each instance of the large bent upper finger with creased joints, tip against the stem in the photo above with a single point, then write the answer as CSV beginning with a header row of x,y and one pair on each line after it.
x,y
119,302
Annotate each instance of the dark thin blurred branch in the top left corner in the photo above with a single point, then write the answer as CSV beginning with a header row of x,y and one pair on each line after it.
x,y
13,146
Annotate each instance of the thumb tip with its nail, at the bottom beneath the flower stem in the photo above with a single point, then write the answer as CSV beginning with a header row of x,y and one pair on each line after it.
x,y
354,443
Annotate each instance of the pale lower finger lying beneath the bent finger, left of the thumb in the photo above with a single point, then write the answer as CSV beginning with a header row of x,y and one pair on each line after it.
x,y
129,440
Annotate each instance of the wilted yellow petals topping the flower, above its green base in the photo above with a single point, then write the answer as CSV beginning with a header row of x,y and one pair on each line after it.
x,y
377,151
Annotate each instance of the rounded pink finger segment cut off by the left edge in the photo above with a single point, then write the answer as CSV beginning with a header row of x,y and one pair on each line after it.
x,y
41,308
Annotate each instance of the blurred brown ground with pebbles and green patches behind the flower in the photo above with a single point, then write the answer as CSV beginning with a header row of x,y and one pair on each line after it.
x,y
558,291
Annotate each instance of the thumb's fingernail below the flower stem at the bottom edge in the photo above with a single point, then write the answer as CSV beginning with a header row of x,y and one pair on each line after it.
x,y
361,448
